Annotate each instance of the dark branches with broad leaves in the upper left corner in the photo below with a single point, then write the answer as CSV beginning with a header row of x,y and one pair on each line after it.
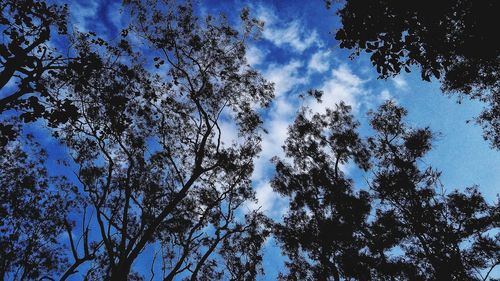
x,y
28,60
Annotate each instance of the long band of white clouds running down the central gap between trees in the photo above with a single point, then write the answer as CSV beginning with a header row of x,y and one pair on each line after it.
x,y
341,84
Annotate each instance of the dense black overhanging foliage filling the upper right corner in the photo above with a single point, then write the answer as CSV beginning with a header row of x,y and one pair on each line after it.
x,y
451,40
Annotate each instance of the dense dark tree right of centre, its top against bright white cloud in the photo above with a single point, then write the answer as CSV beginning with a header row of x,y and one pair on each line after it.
x,y
322,233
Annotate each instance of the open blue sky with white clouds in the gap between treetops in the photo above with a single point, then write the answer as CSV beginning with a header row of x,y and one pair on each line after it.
x,y
297,51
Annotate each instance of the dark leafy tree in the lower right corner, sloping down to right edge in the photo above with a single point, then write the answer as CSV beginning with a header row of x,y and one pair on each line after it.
x,y
441,236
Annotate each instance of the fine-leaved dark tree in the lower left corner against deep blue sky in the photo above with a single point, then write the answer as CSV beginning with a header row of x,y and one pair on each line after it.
x,y
34,208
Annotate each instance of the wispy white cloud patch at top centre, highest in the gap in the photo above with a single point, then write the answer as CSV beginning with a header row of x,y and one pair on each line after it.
x,y
282,33
